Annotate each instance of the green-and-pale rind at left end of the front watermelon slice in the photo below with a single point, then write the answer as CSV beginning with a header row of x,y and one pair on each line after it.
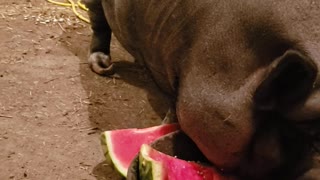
x,y
149,169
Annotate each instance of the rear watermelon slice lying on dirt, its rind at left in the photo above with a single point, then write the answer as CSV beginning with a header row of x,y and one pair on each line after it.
x,y
121,146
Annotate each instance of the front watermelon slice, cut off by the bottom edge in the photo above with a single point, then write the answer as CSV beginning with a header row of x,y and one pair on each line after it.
x,y
154,165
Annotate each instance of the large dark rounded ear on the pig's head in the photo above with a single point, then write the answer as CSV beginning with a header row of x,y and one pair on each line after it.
x,y
289,81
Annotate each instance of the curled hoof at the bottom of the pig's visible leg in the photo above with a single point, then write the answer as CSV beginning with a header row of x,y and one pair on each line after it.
x,y
100,63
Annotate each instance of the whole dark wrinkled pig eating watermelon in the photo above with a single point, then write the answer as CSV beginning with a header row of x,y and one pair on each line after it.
x,y
244,74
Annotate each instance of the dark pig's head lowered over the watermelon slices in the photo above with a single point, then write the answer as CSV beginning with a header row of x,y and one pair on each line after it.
x,y
247,107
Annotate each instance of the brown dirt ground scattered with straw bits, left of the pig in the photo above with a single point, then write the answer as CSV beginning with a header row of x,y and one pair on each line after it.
x,y
52,107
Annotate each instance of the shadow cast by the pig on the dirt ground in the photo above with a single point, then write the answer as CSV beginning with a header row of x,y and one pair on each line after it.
x,y
133,101
